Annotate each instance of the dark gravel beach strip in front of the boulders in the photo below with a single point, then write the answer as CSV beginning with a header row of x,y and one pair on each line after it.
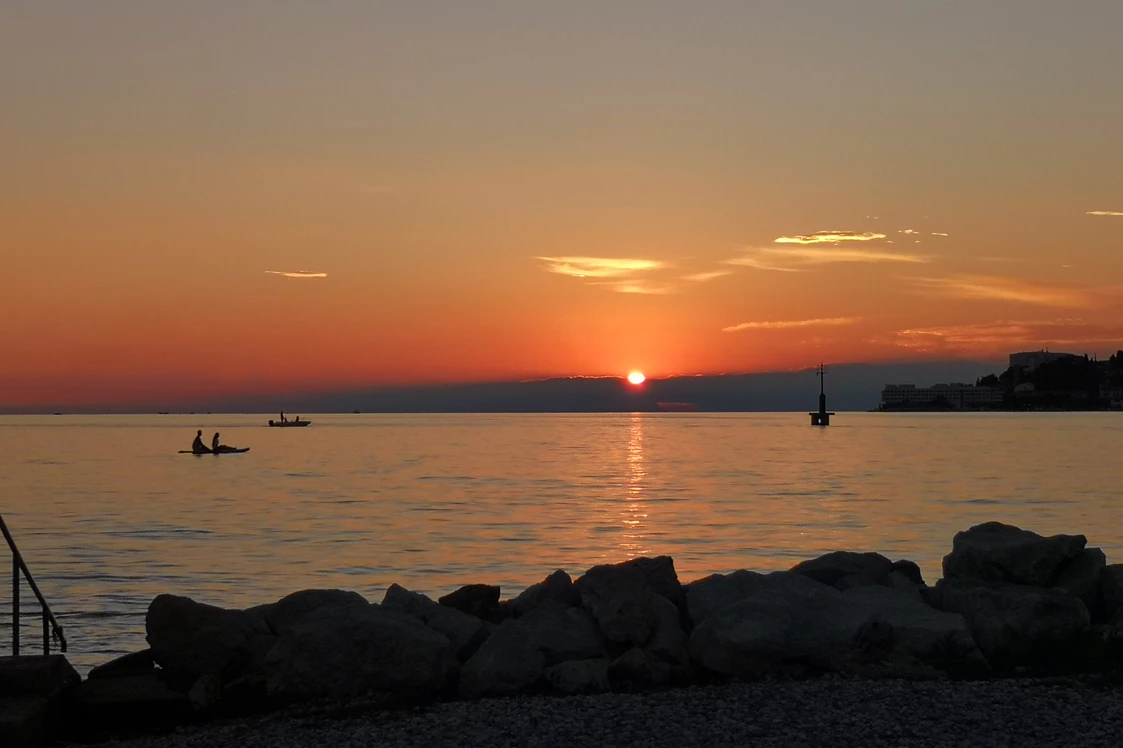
x,y
819,714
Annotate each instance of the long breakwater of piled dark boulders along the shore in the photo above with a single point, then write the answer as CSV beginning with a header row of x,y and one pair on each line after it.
x,y
1010,603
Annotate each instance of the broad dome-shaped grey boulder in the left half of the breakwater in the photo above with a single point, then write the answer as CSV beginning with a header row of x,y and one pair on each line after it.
x,y
349,652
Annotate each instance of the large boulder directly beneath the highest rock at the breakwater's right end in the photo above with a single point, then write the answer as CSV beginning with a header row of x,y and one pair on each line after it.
x,y
1017,626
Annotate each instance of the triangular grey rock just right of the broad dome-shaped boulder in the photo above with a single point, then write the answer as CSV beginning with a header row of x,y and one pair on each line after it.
x,y
508,663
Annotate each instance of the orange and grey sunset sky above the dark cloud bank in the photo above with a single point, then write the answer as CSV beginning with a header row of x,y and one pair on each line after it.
x,y
212,198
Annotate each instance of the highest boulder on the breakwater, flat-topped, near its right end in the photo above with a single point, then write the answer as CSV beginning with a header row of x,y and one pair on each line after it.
x,y
1002,553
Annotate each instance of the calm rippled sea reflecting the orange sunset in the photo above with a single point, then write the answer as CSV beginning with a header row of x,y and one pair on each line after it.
x,y
108,515
